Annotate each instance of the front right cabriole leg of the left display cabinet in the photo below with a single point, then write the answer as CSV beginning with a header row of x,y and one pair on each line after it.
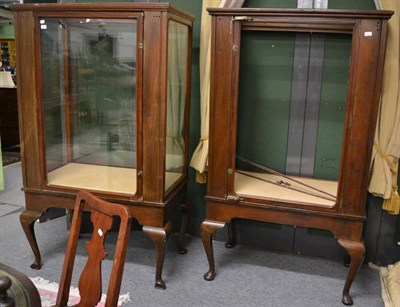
x,y
159,237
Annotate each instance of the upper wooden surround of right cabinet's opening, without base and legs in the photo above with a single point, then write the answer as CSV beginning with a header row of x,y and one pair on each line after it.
x,y
367,55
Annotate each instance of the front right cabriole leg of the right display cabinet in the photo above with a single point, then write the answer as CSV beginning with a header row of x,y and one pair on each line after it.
x,y
356,251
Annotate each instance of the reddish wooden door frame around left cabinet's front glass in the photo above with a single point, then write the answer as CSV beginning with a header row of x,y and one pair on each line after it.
x,y
117,16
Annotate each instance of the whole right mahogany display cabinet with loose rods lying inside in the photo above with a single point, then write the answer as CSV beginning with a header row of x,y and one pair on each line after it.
x,y
265,124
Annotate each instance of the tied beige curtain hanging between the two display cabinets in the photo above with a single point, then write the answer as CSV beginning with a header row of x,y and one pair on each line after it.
x,y
200,156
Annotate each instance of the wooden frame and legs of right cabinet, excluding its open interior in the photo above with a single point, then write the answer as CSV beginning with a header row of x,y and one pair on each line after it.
x,y
345,219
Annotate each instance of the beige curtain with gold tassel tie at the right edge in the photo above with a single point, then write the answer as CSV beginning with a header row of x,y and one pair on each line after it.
x,y
384,167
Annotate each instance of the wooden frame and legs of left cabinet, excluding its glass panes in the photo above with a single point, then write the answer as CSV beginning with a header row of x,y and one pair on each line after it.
x,y
152,205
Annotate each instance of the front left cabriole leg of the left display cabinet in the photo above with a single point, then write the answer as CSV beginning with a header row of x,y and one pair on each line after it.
x,y
27,219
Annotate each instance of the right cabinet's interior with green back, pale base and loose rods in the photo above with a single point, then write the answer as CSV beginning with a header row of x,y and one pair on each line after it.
x,y
269,85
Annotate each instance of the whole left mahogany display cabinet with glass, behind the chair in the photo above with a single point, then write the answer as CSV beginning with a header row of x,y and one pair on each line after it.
x,y
103,95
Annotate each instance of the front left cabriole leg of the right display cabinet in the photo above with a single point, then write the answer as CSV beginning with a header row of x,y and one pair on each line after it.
x,y
207,229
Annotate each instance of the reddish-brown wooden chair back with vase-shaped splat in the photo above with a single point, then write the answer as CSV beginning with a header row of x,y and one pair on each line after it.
x,y
90,281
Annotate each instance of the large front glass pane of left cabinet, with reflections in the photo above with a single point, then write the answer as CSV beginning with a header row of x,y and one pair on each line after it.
x,y
89,102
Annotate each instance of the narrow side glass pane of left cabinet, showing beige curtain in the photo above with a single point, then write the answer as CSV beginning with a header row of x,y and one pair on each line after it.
x,y
176,99
